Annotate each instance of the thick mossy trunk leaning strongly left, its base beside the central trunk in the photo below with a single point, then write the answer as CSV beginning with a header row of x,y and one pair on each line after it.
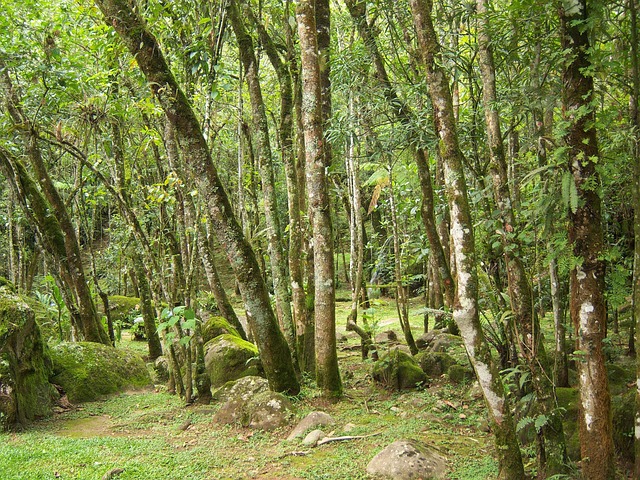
x,y
274,352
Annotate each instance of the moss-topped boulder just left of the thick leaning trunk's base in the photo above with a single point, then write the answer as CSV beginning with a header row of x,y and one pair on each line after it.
x,y
228,357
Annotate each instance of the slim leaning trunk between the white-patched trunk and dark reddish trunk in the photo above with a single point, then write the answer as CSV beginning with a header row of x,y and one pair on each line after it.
x,y
551,449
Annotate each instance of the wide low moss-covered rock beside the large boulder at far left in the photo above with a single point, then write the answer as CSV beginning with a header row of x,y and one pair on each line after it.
x,y
88,371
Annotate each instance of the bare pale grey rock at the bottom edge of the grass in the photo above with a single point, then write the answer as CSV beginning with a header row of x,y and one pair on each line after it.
x,y
407,460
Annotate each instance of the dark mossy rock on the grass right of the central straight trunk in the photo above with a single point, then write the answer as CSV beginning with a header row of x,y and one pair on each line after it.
x,y
398,370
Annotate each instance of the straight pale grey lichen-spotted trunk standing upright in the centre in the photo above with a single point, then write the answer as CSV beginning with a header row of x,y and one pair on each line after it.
x,y
327,373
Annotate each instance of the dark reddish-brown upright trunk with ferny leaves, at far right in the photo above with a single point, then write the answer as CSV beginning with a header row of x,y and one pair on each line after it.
x,y
587,303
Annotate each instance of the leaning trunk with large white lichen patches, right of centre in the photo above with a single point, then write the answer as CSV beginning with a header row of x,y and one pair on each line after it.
x,y
466,306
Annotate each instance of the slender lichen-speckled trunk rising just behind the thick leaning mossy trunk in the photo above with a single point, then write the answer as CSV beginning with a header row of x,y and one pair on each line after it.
x,y
265,165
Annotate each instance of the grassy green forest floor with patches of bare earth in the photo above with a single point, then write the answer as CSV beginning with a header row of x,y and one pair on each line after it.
x,y
142,435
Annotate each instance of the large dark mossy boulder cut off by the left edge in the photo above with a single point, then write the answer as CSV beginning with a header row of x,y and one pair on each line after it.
x,y
25,391
